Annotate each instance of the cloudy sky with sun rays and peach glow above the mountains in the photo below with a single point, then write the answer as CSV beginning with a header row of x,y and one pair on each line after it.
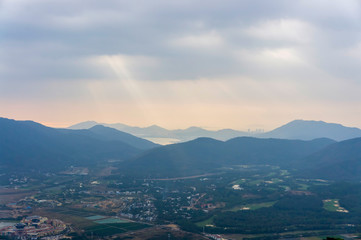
x,y
214,64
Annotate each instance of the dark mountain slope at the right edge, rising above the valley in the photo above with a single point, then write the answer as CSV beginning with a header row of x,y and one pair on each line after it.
x,y
339,161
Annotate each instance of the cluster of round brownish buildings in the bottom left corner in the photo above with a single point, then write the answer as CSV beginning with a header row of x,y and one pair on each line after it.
x,y
34,227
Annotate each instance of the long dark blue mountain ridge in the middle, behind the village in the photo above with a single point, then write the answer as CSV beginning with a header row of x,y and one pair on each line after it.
x,y
205,155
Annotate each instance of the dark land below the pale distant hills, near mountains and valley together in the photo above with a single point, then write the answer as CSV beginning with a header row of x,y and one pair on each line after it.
x,y
105,184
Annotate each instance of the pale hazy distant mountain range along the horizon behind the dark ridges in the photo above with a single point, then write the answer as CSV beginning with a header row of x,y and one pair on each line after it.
x,y
298,129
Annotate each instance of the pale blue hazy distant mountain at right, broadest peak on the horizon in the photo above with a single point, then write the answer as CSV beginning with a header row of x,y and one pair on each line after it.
x,y
308,130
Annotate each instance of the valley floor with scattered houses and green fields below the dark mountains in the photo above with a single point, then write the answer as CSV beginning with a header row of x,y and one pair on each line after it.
x,y
253,201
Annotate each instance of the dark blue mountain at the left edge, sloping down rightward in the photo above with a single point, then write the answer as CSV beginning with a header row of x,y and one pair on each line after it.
x,y
30,145
